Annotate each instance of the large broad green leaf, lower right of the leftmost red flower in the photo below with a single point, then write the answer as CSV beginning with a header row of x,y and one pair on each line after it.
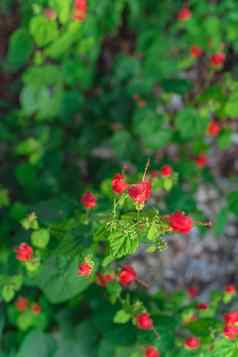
x,y
59,280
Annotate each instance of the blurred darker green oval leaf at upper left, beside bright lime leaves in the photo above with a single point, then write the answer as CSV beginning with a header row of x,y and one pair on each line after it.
x,y
20,49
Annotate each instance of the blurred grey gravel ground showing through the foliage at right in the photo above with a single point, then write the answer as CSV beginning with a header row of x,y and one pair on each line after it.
x,y
207,262
